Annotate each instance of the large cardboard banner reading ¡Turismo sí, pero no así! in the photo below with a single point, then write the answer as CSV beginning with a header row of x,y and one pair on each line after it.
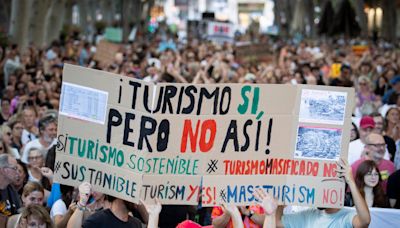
x,y
214,142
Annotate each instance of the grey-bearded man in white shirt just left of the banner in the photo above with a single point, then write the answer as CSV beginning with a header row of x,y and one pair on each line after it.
x,y
47,138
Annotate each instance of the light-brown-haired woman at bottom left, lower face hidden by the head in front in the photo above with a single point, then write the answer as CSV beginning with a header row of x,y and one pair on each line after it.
x,y
33,194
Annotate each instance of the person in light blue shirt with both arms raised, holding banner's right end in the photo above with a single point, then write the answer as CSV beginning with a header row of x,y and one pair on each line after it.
x,y
319,217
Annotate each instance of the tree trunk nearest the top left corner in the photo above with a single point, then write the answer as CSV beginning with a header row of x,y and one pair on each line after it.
x,y
19,26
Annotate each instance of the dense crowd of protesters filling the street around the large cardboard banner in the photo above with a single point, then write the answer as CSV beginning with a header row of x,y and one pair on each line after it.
x,y
31,87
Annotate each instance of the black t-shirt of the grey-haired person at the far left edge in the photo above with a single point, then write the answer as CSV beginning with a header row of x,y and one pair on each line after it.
x,y
9,201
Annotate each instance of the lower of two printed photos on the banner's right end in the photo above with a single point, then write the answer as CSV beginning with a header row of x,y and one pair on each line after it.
x,y
318,143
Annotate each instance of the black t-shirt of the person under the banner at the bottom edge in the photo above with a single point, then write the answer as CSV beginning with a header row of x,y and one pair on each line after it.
x,y
106,219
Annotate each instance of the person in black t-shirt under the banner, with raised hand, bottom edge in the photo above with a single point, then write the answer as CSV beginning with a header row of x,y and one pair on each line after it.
x,y
118,215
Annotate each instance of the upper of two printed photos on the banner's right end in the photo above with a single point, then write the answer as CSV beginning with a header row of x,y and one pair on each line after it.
x,y
319,106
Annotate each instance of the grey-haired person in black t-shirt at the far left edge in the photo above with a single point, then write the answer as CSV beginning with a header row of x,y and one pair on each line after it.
x,y
9,198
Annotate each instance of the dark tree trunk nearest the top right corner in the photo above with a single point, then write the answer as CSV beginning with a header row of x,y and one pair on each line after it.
x,y
389,21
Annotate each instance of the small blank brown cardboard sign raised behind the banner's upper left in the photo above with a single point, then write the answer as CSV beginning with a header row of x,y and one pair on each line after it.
x,y
105,52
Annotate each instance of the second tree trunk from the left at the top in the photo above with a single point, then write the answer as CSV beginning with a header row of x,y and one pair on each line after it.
x,y
39,24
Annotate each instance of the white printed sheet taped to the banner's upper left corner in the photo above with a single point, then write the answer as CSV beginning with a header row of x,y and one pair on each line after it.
x,y
83,103
